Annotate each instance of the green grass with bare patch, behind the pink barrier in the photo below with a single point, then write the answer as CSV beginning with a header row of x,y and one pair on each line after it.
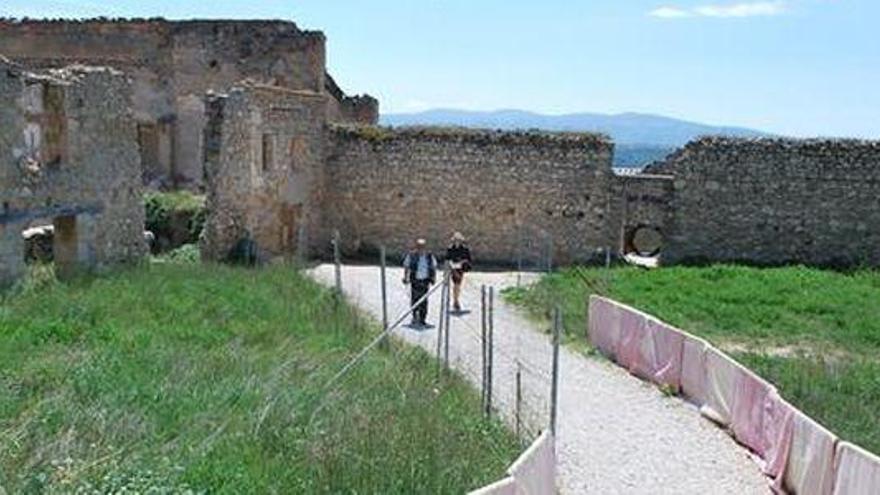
x,y
814,333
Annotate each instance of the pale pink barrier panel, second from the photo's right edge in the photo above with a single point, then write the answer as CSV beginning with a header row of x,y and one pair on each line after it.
x,y
810,467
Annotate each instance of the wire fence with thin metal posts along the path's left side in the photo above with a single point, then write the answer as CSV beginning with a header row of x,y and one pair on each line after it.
x,y
515,386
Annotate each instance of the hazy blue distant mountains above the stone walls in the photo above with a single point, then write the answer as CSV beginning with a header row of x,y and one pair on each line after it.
x,y
639,138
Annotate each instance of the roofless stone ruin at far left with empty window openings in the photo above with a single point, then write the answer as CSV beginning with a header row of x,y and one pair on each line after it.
x,y
68,154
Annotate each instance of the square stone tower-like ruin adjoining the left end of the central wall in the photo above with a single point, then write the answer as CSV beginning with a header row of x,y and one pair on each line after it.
x,y
264,164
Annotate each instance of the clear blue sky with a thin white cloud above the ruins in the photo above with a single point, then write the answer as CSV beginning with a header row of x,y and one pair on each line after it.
x,y
799,67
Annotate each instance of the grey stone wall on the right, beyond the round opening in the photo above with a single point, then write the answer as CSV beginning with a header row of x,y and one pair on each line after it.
x,y
774,201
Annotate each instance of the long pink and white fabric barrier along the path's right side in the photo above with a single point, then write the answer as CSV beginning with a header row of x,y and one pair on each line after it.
x,y
798,454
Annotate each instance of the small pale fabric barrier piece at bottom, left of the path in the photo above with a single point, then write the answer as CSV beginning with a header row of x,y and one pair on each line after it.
x,y
533,473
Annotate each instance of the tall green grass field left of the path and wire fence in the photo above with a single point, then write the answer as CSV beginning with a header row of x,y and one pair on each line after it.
x,y
173,377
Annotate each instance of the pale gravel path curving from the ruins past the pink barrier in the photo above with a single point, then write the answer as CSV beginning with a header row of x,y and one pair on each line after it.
x,y
616,434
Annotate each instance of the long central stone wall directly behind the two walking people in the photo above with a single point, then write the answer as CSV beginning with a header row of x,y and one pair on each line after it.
x,y
503,190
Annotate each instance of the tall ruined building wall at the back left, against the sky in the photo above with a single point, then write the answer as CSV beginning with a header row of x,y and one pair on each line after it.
x,y
174,63
